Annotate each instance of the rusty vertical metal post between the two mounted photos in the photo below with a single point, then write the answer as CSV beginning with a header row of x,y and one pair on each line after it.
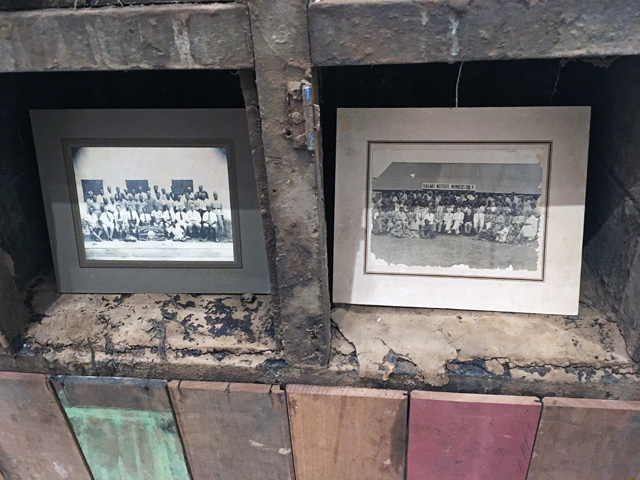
x,y
294,181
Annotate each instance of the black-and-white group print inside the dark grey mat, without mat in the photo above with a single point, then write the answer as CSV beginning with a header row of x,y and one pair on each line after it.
x,y
154,203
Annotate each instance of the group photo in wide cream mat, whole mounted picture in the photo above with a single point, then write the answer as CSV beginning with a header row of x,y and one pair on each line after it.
x,y
461,208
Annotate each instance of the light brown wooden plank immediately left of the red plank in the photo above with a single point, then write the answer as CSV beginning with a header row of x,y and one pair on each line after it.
x,y
347,433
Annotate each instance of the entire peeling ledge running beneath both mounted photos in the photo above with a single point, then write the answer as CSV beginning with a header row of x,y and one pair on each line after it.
x,y
228,338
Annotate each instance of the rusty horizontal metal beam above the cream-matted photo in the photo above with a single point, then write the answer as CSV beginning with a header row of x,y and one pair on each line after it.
x,y
361,32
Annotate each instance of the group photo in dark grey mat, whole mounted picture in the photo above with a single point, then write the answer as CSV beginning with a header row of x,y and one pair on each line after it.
x,y
151,201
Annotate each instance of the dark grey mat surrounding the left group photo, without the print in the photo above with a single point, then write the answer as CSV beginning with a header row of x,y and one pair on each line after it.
x,y
52,127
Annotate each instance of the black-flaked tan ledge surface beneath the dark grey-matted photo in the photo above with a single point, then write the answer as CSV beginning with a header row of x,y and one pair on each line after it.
x,y
181,329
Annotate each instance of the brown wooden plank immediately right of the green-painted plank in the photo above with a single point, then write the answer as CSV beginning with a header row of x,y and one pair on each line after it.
x,y
234,431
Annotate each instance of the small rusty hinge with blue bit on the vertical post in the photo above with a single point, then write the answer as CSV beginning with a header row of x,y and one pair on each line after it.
x,y
304,115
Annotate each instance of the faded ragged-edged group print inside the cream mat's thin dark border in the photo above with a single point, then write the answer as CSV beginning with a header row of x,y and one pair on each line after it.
x,y
461,209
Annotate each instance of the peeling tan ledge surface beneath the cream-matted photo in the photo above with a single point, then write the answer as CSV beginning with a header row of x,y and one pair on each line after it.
x,y
430,346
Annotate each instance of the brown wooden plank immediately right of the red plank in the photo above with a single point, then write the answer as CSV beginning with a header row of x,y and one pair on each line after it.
x,y
582,439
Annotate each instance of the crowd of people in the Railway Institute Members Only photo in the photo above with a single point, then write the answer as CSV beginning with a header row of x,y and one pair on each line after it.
x,y
499,218
